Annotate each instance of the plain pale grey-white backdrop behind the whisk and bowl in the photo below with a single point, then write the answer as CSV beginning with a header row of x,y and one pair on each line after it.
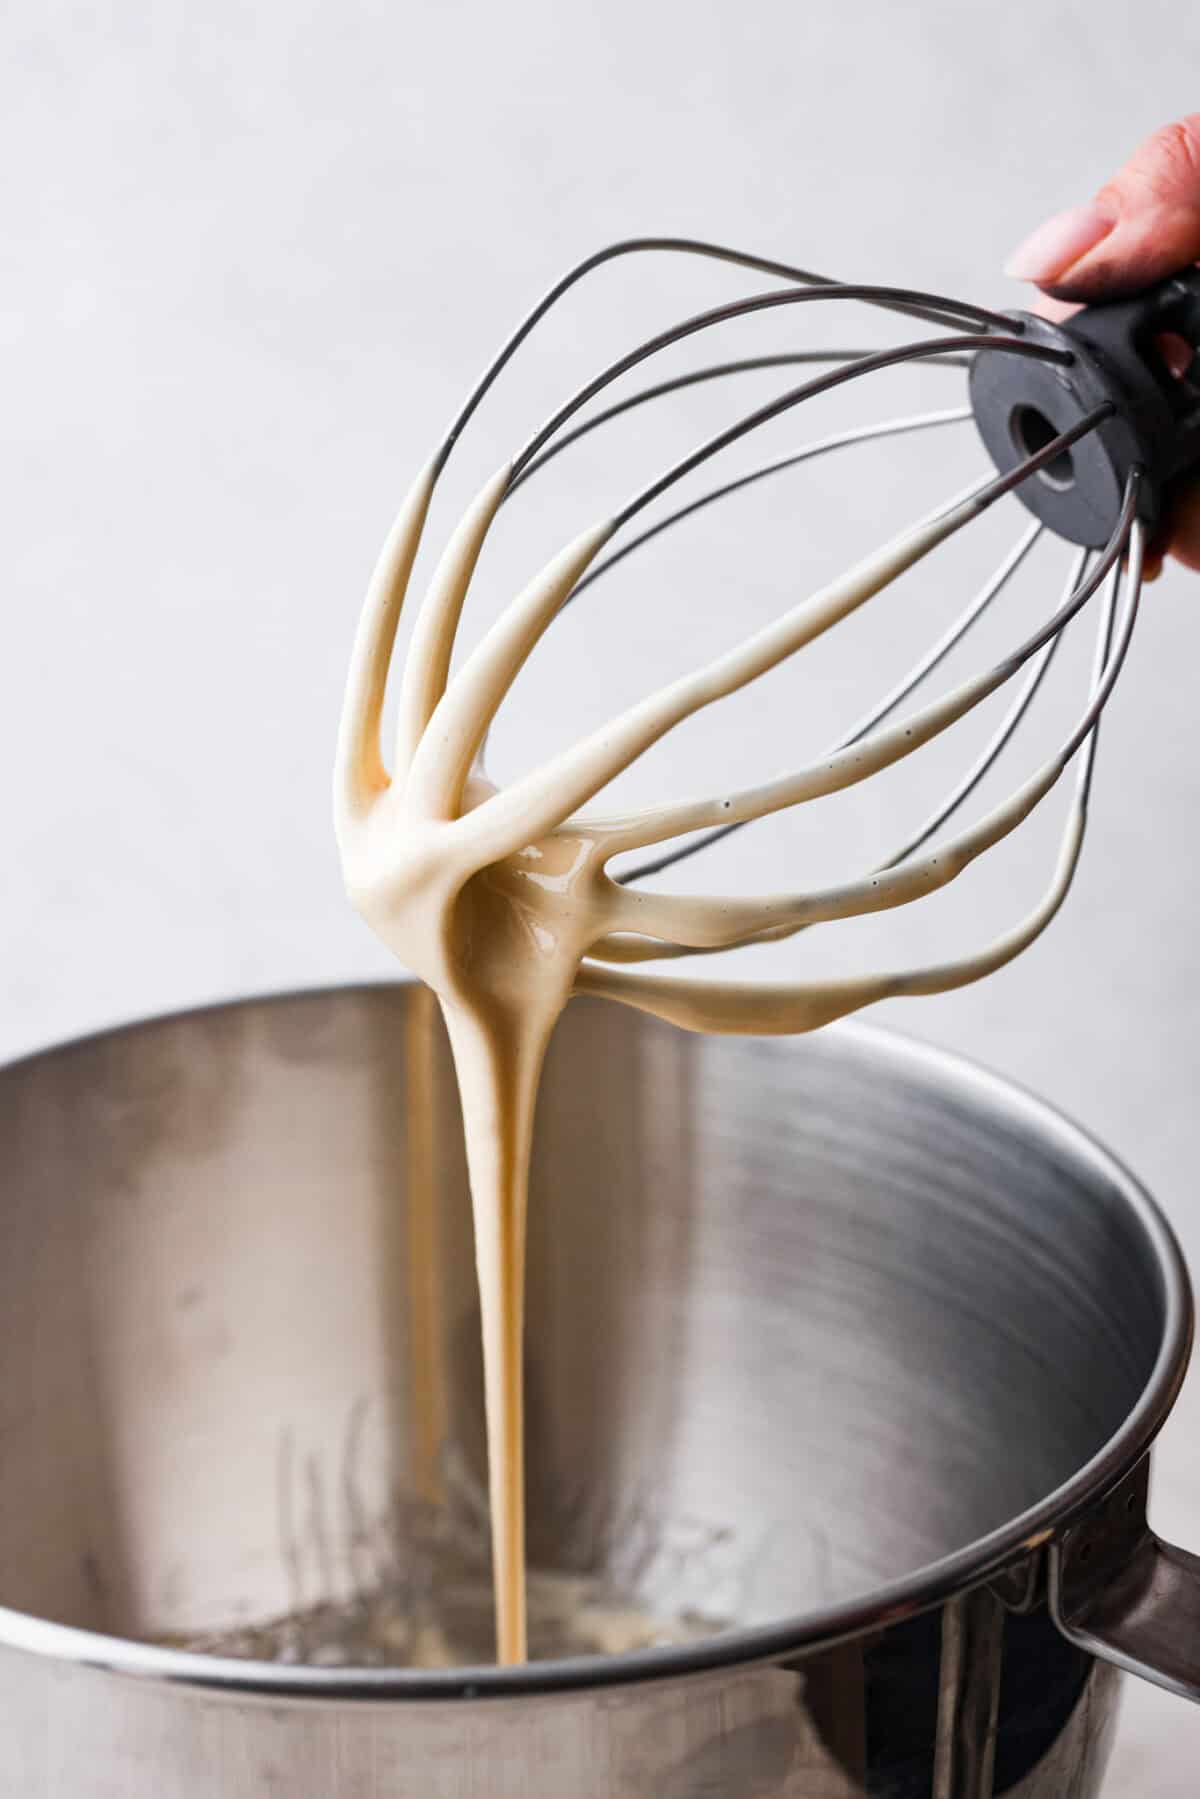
x,y
255,258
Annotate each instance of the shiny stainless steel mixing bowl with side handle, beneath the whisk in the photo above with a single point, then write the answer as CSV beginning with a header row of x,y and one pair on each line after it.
x,y
836,1339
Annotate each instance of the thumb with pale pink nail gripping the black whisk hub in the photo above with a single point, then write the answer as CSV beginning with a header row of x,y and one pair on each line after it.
x,y
1142,228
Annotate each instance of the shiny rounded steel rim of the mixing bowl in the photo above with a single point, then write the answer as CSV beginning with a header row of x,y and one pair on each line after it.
x,y
801,1634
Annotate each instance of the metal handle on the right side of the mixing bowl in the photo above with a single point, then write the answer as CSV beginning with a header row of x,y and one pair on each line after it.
x,y
1124,1595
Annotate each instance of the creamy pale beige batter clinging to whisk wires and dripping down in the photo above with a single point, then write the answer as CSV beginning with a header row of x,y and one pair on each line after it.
x,y
503,900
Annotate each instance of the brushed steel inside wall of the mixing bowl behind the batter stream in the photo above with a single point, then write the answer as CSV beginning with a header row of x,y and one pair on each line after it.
x,y
803,1316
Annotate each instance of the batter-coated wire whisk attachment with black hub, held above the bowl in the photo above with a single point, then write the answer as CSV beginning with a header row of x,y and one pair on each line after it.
x,y
1088,425
